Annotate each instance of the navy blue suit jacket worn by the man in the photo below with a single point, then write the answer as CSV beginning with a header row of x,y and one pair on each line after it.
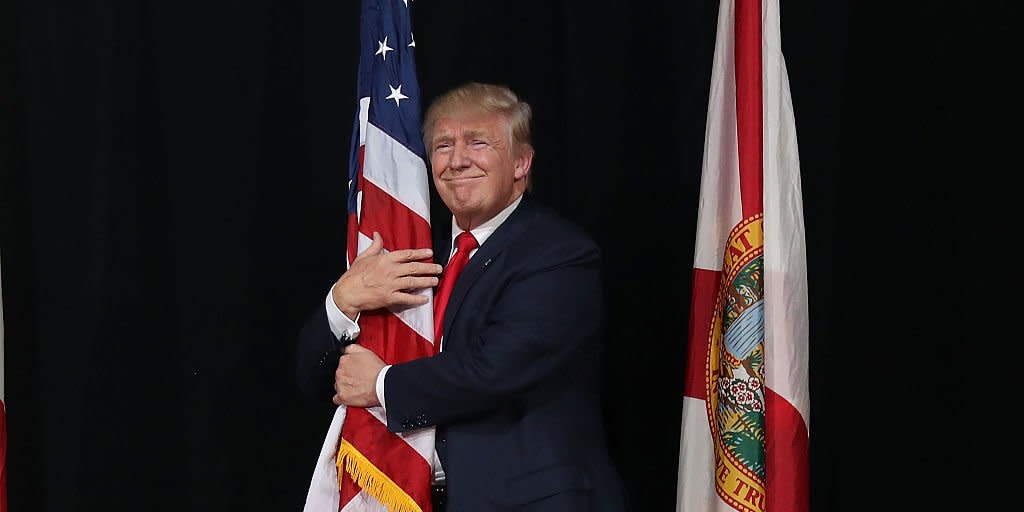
x,y
516,393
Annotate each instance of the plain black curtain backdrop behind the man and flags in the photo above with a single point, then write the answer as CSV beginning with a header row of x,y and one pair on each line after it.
x,y
174,209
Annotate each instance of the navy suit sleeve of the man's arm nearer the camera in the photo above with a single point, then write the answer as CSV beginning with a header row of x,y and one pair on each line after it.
x,y
547,315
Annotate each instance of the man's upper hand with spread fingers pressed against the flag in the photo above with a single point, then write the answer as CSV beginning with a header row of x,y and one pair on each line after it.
x,y
378,279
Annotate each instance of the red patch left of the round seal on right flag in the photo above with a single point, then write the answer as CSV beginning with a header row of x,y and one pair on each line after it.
x,y
706,286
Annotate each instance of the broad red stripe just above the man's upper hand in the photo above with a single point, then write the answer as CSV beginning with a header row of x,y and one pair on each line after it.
x,y
398,225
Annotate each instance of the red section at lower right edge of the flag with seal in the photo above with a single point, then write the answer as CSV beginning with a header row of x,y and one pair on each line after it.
x,y
787,465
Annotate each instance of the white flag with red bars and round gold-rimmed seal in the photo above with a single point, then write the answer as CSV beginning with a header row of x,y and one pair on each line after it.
x,y
745,438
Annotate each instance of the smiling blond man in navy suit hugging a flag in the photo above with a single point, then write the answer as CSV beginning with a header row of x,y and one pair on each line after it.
x,y
515,390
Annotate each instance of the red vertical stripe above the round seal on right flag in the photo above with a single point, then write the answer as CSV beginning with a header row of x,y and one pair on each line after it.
x,y
749,105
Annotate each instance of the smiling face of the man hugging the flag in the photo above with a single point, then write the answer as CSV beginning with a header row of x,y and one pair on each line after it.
x,y
476,169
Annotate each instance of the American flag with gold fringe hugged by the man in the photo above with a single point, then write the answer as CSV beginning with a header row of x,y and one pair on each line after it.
x,y
364,467
